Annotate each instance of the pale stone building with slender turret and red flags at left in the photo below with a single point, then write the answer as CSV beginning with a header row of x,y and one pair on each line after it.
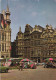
x,y
5,34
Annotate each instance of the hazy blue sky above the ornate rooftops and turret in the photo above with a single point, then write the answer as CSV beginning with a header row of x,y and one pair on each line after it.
x,y
33,12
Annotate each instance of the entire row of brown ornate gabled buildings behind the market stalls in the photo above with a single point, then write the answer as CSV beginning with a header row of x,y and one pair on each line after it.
x,y
36,43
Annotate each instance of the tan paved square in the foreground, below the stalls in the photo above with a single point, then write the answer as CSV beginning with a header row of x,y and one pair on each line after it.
x,y
30,74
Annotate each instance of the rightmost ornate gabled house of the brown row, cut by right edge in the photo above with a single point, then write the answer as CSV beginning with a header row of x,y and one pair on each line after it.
x,y
49,42
